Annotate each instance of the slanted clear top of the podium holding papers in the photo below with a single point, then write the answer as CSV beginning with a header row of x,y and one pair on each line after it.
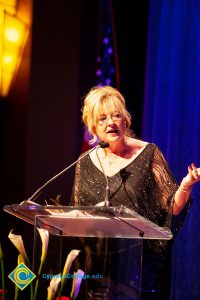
x,y
89,221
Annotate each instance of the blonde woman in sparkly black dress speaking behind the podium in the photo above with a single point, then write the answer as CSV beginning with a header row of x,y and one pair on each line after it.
x,y
138,177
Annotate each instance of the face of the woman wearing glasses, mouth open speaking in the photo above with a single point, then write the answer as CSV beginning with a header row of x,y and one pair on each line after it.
x,y
111,127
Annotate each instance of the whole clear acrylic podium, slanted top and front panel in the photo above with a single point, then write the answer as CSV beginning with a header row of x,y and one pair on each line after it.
x,y
110,241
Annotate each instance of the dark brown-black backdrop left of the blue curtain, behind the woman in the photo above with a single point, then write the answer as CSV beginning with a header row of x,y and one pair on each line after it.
x,y
40,120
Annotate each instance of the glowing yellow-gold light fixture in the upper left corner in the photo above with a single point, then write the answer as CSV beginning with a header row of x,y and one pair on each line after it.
x,y
13,33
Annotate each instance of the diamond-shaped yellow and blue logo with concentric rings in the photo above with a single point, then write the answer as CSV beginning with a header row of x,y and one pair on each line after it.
x,y
22,276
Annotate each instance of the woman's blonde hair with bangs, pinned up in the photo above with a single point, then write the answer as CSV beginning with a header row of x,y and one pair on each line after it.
x,y
103,100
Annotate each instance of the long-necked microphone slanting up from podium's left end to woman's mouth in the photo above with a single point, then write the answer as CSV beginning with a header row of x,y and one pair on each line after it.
x,y
101,144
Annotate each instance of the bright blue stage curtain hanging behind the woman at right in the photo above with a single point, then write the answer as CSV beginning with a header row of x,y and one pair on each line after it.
x,y
171,119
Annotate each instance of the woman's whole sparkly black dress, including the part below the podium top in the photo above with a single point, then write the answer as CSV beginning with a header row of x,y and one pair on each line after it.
x,y
147,186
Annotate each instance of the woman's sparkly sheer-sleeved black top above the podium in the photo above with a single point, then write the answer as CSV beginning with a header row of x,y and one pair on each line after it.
x,y
146,185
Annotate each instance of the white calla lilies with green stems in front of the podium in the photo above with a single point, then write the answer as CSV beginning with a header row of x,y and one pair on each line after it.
x,y
56,281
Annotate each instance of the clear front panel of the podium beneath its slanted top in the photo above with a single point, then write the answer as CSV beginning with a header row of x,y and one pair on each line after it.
x,y
112,266
